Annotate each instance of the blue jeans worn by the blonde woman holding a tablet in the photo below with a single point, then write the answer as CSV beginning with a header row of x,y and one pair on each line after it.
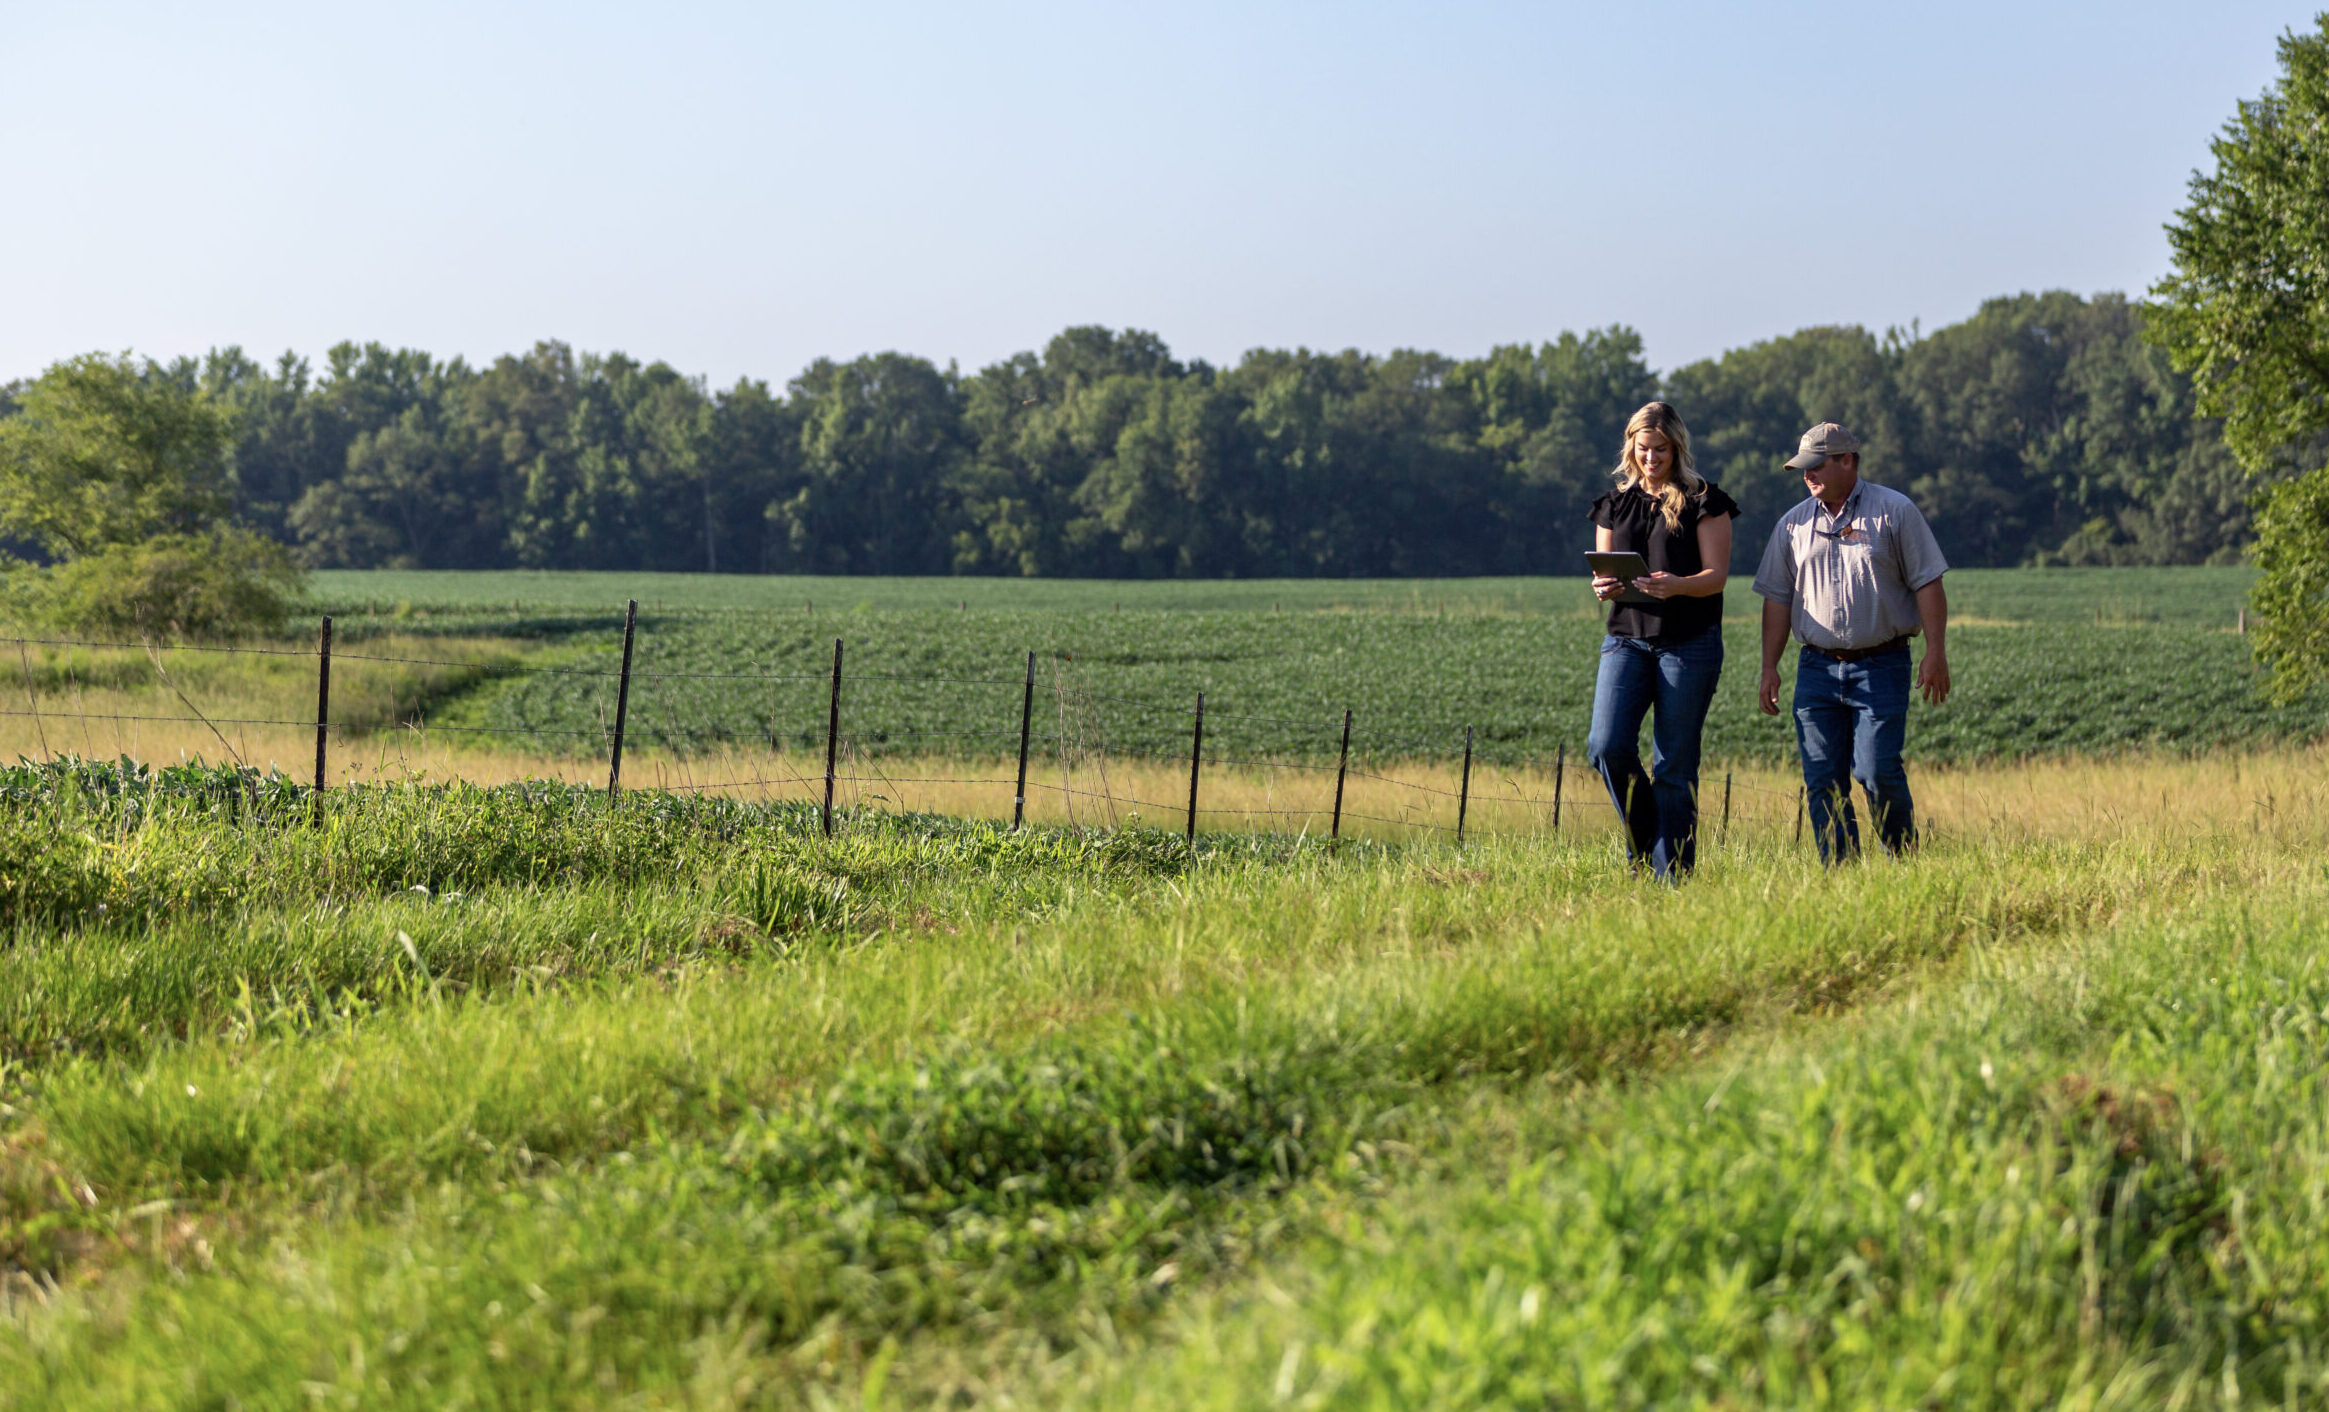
x,y
1659,807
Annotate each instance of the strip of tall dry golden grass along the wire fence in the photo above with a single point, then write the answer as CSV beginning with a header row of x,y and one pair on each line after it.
x,y
2058,798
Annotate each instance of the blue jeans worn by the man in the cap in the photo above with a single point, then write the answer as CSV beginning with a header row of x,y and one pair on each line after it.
x,y
1850,723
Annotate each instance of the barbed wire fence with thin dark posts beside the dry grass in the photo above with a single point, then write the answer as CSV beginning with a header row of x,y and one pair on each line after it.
x,y
1042,721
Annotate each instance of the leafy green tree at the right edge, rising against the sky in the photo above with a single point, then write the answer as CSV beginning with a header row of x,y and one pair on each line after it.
x,y
2246,311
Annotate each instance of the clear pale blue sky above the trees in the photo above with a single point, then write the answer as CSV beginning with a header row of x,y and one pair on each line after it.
x,y
744,188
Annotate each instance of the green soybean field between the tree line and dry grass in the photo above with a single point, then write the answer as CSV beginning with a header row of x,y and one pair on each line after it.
x,y
2048,663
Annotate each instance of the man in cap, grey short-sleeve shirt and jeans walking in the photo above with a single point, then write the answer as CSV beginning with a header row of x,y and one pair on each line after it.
x,y
1853,574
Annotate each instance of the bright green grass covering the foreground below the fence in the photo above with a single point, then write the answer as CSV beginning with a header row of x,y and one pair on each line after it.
x,y
509,1099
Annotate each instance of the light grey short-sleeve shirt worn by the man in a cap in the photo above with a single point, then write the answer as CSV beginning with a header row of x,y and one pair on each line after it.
x,y
1850,579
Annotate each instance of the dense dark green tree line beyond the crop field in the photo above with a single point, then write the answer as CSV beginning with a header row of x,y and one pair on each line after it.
x,y
2039,432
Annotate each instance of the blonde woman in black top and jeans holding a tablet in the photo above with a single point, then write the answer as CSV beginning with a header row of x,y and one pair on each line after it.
x,y
1666,644
